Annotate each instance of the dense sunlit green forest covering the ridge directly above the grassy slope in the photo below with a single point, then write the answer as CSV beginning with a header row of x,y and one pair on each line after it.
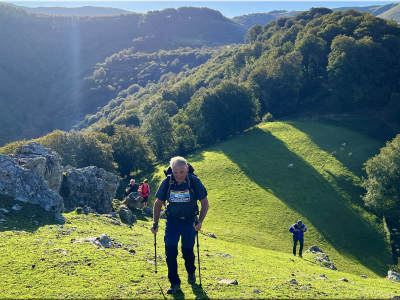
x,y
171,102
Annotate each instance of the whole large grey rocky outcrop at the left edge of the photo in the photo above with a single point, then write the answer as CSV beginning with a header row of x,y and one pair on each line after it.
x,y
19,178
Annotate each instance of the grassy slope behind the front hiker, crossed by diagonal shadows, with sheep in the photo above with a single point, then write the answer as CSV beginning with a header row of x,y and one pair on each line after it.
x,y
255,198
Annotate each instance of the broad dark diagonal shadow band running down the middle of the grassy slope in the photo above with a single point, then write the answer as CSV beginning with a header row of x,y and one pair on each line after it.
x,y
306,191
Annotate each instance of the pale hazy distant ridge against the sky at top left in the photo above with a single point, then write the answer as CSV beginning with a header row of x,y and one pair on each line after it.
x,y
78,11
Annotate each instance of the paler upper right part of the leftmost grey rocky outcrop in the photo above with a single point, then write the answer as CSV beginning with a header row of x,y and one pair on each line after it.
x,y
43,161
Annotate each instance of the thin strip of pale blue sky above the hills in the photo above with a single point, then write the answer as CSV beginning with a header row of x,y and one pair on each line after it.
x,y
229,9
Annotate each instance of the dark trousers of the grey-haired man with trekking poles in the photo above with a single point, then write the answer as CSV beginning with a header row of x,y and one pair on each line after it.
x,y
173,232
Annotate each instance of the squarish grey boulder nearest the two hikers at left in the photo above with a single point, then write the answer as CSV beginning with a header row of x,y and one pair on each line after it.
x,y
89,186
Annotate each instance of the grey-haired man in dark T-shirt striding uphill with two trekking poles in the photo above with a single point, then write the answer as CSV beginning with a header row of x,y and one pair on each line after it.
x,y
181,190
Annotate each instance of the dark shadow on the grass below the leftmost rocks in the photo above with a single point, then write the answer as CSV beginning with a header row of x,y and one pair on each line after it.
x,y
29,218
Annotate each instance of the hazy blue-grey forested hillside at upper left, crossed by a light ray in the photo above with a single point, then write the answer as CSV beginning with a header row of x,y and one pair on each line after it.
x,y
47,57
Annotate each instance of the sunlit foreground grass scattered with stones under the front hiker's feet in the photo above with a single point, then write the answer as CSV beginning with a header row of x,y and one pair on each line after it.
x,y
41,262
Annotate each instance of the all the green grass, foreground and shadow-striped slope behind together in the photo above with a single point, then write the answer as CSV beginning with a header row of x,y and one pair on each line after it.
x,y
254,198
